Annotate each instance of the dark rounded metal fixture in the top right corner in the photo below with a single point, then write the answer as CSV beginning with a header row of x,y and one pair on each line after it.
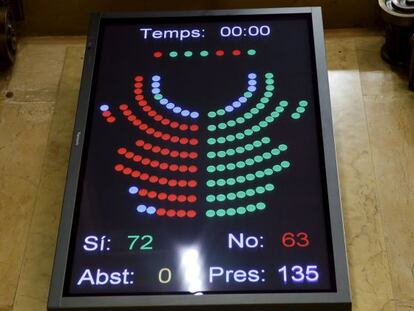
x,y
398,49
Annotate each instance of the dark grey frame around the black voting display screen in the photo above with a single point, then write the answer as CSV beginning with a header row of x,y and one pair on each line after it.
x,y
321,301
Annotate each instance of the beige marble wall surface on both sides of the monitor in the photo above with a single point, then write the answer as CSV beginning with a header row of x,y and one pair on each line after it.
x,y
373,116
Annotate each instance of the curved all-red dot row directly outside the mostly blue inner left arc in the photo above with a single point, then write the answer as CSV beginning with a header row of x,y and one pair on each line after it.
x,y
155,115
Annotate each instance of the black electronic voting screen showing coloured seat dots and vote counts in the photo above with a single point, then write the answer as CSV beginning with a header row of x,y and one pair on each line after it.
x,y
203,168
